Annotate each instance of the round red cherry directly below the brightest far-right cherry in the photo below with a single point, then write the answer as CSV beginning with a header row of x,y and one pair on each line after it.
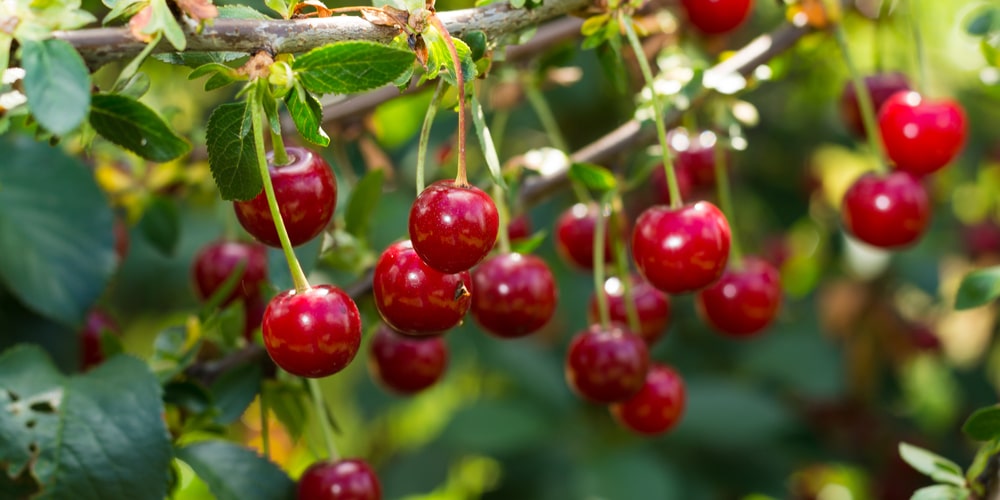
x,y
886,211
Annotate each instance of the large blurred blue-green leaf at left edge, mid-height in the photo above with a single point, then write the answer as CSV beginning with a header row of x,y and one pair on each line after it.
x,y
55,230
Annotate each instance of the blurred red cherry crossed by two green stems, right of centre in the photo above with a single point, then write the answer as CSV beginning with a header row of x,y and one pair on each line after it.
x,y
652,307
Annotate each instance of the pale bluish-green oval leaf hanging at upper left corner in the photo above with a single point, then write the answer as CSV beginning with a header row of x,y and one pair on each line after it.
x,y
57,84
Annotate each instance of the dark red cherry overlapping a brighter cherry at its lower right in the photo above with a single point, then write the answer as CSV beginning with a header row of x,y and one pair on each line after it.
x,y
606,365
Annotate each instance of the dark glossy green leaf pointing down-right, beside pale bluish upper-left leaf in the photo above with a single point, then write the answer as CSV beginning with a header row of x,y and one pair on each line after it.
x,y
133,126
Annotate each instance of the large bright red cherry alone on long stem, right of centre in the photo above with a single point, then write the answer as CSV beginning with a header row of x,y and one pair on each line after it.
x,y
681,250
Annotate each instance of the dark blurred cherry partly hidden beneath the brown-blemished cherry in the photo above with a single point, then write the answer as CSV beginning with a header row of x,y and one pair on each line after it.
x,y
406,365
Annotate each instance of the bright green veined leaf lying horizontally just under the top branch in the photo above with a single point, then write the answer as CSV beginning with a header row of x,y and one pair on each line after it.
x,y
349,67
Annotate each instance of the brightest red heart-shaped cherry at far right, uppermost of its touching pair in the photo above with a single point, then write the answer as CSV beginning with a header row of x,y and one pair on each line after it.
x,y
921,135
